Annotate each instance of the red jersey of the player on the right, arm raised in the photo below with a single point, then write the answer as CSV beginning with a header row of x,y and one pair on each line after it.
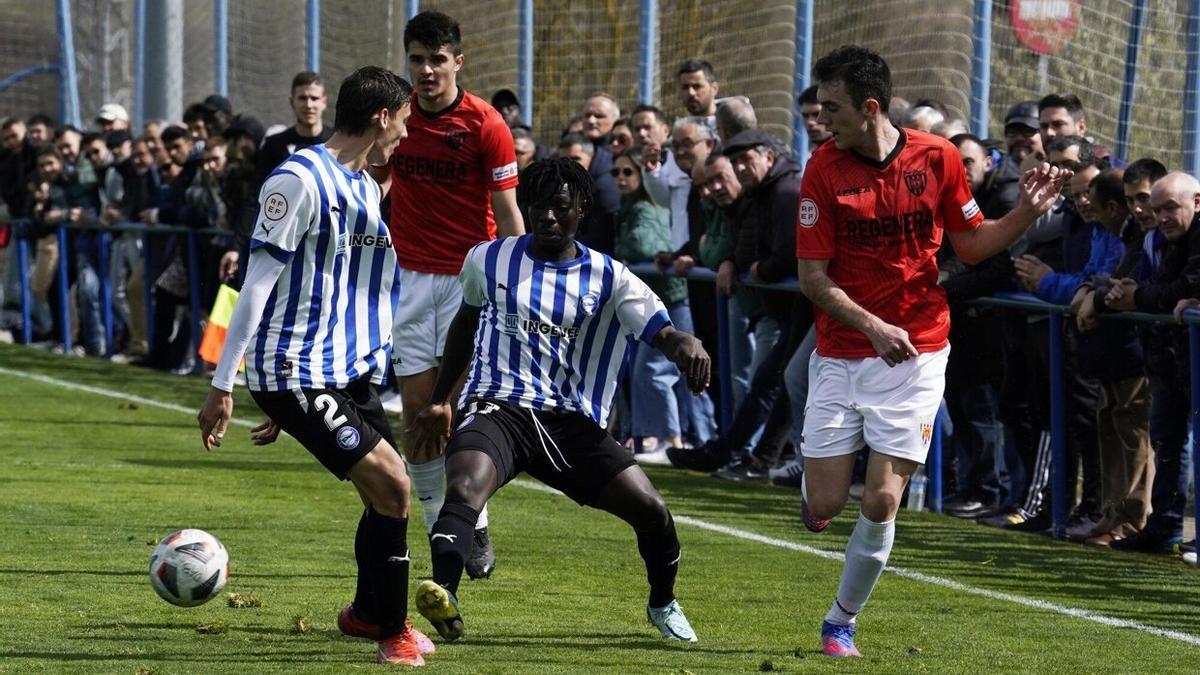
x,y
880,225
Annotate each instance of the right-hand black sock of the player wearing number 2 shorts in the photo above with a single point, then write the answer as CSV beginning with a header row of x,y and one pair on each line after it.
x,y
387,548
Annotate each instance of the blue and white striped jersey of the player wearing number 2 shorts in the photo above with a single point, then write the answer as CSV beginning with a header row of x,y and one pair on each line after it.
x,y
328,321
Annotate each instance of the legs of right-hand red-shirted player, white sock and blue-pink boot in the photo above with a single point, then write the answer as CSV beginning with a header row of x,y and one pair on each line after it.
x,y
869,547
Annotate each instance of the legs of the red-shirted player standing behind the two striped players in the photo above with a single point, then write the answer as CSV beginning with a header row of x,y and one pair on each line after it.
x,y
428,469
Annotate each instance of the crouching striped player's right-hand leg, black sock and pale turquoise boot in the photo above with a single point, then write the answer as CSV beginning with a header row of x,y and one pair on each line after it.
x,y
632,498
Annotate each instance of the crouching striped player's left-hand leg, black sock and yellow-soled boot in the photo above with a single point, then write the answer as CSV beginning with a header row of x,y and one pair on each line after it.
x,y
471,482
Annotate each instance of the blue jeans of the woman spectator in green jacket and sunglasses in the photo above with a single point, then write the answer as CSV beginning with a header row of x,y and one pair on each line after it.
x,y
662,404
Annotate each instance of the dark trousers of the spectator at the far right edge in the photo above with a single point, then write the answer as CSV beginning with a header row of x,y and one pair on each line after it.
x,y
1169,437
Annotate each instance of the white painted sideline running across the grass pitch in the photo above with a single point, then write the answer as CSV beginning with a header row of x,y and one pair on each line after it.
x,y
719,529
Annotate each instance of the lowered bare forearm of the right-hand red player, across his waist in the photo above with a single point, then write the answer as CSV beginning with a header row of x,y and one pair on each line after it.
x,y
890,342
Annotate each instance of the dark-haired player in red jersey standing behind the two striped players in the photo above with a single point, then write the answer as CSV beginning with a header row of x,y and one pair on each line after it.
x,y
453,186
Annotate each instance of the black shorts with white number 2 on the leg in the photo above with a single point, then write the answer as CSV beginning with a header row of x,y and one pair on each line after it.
x,y
339,427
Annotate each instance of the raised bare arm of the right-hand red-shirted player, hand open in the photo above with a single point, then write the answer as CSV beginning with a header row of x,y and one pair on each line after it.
x,y
1040,189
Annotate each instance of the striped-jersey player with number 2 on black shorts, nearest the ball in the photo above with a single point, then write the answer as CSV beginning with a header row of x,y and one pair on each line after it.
x,y
315,324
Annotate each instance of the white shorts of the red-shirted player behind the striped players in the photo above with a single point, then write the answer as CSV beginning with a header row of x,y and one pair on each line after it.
x,y
428,306
